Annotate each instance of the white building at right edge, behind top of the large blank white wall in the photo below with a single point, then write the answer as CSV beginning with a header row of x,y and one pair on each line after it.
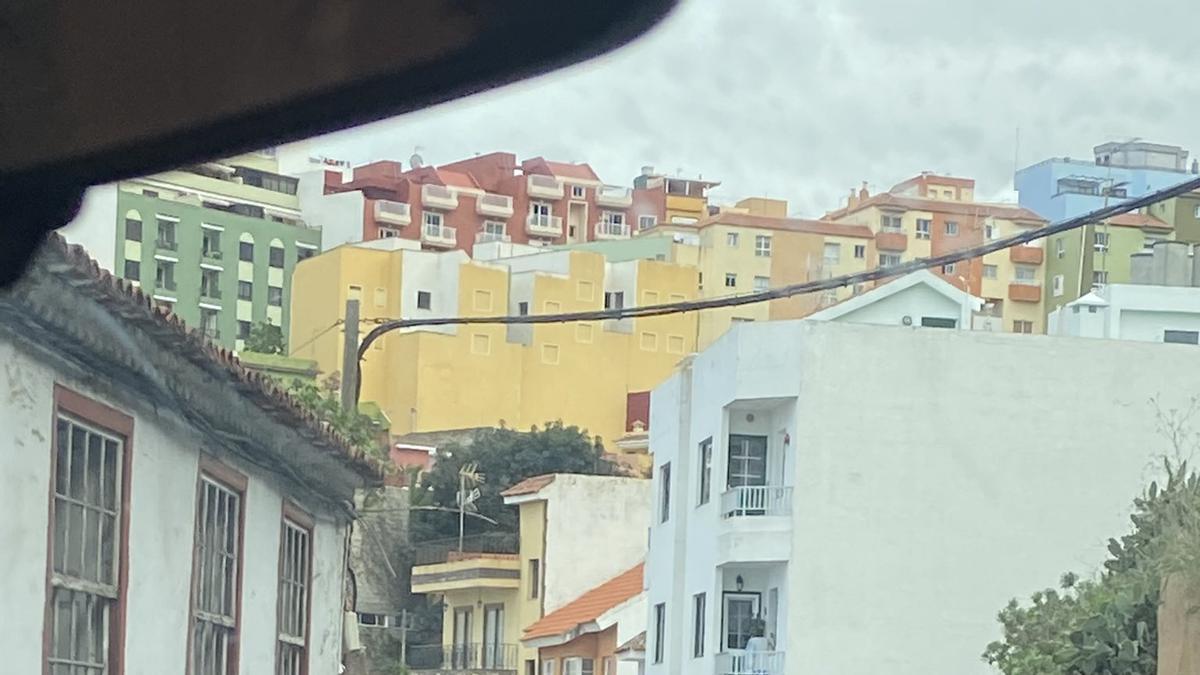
x,y
1161,303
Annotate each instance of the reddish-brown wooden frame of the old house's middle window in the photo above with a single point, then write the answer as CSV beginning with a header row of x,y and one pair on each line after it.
x,y
236,482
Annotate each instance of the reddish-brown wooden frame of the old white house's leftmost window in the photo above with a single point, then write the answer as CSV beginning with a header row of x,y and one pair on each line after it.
x,y
118,425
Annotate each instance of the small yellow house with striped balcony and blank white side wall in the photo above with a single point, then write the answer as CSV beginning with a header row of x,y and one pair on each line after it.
x,y
495,587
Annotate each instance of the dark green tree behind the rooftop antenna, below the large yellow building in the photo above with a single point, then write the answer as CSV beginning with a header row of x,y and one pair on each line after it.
x,y
505,457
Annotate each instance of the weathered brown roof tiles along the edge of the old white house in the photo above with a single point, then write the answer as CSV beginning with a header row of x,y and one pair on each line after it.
x,y
131,306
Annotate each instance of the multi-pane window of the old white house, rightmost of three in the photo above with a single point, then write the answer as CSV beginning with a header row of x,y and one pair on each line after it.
x,y
296,564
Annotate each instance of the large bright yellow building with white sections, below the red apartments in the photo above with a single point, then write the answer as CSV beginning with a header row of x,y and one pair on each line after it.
x,y
481,375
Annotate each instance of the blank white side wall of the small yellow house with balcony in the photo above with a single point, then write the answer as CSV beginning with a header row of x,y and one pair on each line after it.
x,y
596,529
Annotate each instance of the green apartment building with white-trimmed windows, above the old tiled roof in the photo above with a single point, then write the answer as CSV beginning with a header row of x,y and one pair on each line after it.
x,y
217,243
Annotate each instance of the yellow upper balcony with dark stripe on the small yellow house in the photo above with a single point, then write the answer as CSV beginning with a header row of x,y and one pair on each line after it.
x,y
482,561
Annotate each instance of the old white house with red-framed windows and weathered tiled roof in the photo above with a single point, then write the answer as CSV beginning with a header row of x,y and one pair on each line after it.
x,y
167,511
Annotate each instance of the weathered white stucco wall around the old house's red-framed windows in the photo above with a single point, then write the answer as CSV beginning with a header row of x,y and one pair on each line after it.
x,y
163,517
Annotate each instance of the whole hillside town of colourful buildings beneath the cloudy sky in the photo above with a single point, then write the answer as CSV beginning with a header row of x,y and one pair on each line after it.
x,y
277,413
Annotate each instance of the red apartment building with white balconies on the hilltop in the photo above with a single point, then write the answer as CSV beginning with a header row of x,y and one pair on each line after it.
x,y
493,198
